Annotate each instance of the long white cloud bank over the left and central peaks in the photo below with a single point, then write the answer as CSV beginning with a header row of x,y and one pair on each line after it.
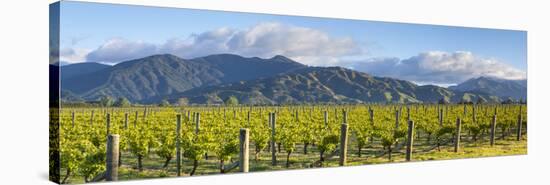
x,y
307,45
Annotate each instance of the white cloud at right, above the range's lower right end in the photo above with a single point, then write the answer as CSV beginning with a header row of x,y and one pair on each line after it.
x,y
436,67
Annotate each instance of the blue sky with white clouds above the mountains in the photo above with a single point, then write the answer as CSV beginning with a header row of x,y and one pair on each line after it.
x,y
424,54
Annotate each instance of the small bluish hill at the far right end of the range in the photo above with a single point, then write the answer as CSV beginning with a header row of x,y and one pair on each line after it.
x,y
516,89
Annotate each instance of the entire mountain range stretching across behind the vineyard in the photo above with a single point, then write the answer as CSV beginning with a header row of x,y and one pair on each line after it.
x,y
277,80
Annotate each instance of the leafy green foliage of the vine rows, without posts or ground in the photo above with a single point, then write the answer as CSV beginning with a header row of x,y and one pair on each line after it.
x,y
82,147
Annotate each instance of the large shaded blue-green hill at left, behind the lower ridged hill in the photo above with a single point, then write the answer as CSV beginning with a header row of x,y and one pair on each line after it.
x,y
160,75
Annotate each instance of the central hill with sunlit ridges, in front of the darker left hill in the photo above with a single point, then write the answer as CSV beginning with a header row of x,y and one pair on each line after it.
x,y
322,85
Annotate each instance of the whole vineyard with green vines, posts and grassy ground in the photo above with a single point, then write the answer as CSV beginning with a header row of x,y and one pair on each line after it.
x,y
209,140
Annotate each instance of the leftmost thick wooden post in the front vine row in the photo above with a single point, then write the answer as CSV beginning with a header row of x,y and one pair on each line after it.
x,y
111,174
